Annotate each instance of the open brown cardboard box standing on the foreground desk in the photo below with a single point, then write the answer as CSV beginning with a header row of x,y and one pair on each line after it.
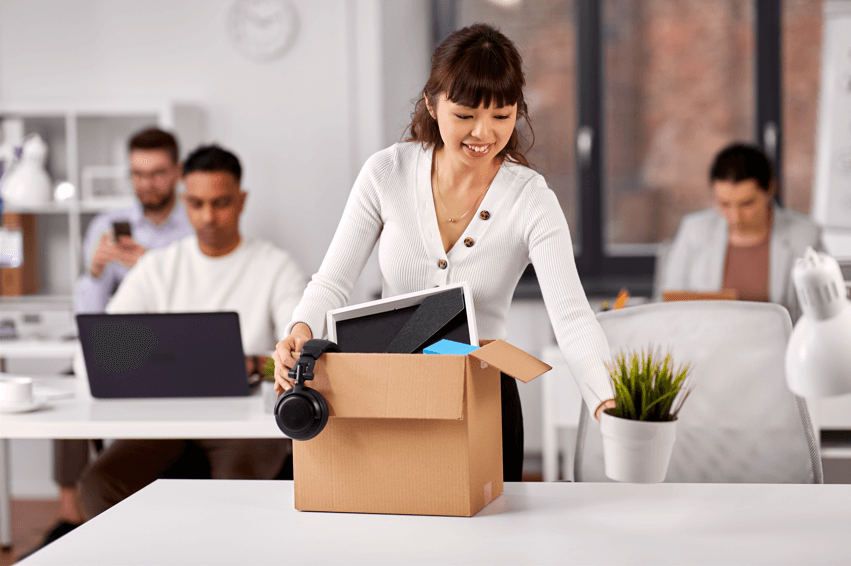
x,y
409,433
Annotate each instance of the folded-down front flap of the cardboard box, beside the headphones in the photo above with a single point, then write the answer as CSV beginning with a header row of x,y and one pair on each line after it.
x,y
394,386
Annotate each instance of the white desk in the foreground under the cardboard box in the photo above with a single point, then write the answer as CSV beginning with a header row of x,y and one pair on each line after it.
x,y
253,522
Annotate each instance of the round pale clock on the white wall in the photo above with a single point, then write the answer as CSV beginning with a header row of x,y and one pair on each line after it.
x,y
262,29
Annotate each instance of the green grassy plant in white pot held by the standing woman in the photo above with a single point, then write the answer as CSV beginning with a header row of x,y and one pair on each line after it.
x,y
639,432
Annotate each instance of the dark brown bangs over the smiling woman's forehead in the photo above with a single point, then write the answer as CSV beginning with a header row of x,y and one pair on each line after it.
x,y
484,77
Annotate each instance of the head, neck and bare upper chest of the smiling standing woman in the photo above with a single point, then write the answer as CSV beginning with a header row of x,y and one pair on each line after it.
x,y
469,116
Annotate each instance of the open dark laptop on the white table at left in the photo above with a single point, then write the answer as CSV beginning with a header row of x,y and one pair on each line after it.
x,y
163,355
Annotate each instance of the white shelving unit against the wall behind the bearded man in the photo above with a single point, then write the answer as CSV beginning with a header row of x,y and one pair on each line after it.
x,y
85,136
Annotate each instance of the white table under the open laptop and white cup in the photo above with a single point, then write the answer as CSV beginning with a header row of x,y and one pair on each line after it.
x,y
80,417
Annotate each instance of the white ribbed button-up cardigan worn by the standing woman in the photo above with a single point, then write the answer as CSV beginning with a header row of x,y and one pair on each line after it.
x,y
518,222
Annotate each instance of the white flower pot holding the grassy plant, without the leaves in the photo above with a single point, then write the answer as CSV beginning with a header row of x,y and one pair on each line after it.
x,y
637,451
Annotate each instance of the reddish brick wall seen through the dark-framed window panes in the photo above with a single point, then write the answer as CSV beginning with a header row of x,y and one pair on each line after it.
x,y
679,81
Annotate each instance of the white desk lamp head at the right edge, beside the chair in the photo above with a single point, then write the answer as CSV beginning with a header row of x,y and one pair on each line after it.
x,y
818,357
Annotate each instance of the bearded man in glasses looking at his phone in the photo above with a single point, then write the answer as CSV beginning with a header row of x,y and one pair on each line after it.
x,y
156,220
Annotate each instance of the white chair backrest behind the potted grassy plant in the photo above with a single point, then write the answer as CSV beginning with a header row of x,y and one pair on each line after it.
x,y
741,424
